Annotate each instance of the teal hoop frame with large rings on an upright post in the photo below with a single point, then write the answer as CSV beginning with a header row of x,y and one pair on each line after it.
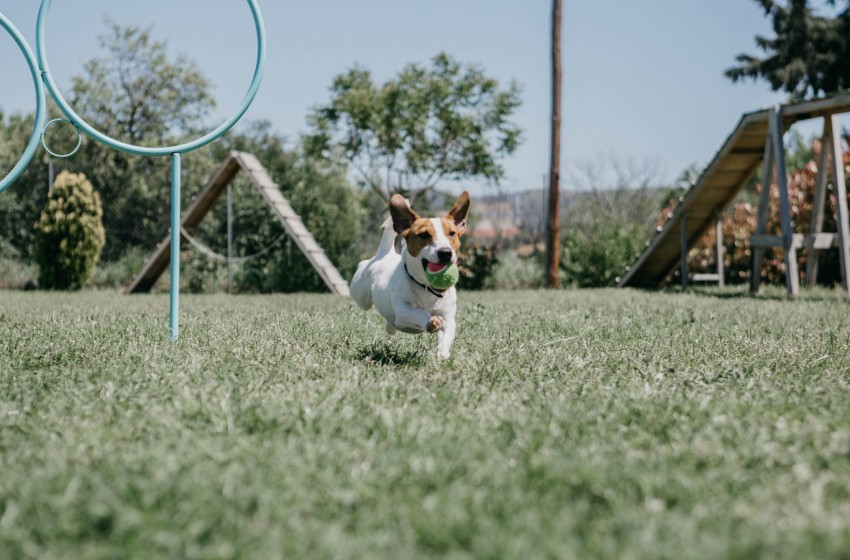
x,y
38,65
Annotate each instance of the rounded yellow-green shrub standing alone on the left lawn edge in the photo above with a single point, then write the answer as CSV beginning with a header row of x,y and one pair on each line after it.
x,y
69,234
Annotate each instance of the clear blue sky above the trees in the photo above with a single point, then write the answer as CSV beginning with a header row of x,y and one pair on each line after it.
x,y
642,78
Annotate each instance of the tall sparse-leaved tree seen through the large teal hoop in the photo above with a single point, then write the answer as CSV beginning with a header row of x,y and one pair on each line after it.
x,y
138,94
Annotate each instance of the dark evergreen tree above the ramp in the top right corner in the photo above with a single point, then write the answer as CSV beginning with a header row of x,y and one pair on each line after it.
x,y
809,55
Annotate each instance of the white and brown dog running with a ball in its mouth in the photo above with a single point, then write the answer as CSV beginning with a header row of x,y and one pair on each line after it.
x,y
394,279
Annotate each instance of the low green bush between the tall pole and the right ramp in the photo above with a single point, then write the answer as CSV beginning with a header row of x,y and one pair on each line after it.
x,y
595,258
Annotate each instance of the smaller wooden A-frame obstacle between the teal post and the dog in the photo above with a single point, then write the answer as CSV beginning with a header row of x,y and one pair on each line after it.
x,y
204,202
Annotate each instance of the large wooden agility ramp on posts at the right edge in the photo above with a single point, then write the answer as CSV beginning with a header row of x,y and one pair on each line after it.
x,y
755,141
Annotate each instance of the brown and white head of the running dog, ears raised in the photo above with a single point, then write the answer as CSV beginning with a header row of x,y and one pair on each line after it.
x,y
433,240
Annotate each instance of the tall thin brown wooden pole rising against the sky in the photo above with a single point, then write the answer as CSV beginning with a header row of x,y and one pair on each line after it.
x,y
553,226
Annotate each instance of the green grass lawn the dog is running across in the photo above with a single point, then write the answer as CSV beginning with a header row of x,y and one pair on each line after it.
x,y
578,424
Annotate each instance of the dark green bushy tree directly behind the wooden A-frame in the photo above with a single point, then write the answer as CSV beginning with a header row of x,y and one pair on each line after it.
x,y
318,191
